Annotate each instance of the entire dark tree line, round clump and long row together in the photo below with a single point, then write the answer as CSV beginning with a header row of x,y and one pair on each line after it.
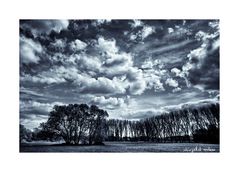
x,y
83,124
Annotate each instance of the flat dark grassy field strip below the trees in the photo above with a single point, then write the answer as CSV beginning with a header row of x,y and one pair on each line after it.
x,y
122,147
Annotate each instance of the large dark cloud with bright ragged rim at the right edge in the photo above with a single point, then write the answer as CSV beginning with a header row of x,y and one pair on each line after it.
x,y
202,67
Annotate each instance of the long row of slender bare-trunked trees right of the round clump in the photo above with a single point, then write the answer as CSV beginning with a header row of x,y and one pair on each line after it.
x,y
179,125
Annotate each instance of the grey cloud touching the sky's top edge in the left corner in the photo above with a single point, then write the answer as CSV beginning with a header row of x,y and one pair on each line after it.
x,y
44,26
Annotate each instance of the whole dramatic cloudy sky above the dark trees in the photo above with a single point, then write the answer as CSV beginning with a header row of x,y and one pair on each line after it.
x,y
131,68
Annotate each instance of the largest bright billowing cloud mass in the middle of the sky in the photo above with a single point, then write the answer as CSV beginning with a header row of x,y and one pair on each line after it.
x,y
114,73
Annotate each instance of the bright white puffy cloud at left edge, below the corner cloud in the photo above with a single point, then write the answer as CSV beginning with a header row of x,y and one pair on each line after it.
x,y
29,50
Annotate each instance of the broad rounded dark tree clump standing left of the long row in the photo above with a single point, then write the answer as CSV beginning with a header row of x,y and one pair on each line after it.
x,y
75,123
